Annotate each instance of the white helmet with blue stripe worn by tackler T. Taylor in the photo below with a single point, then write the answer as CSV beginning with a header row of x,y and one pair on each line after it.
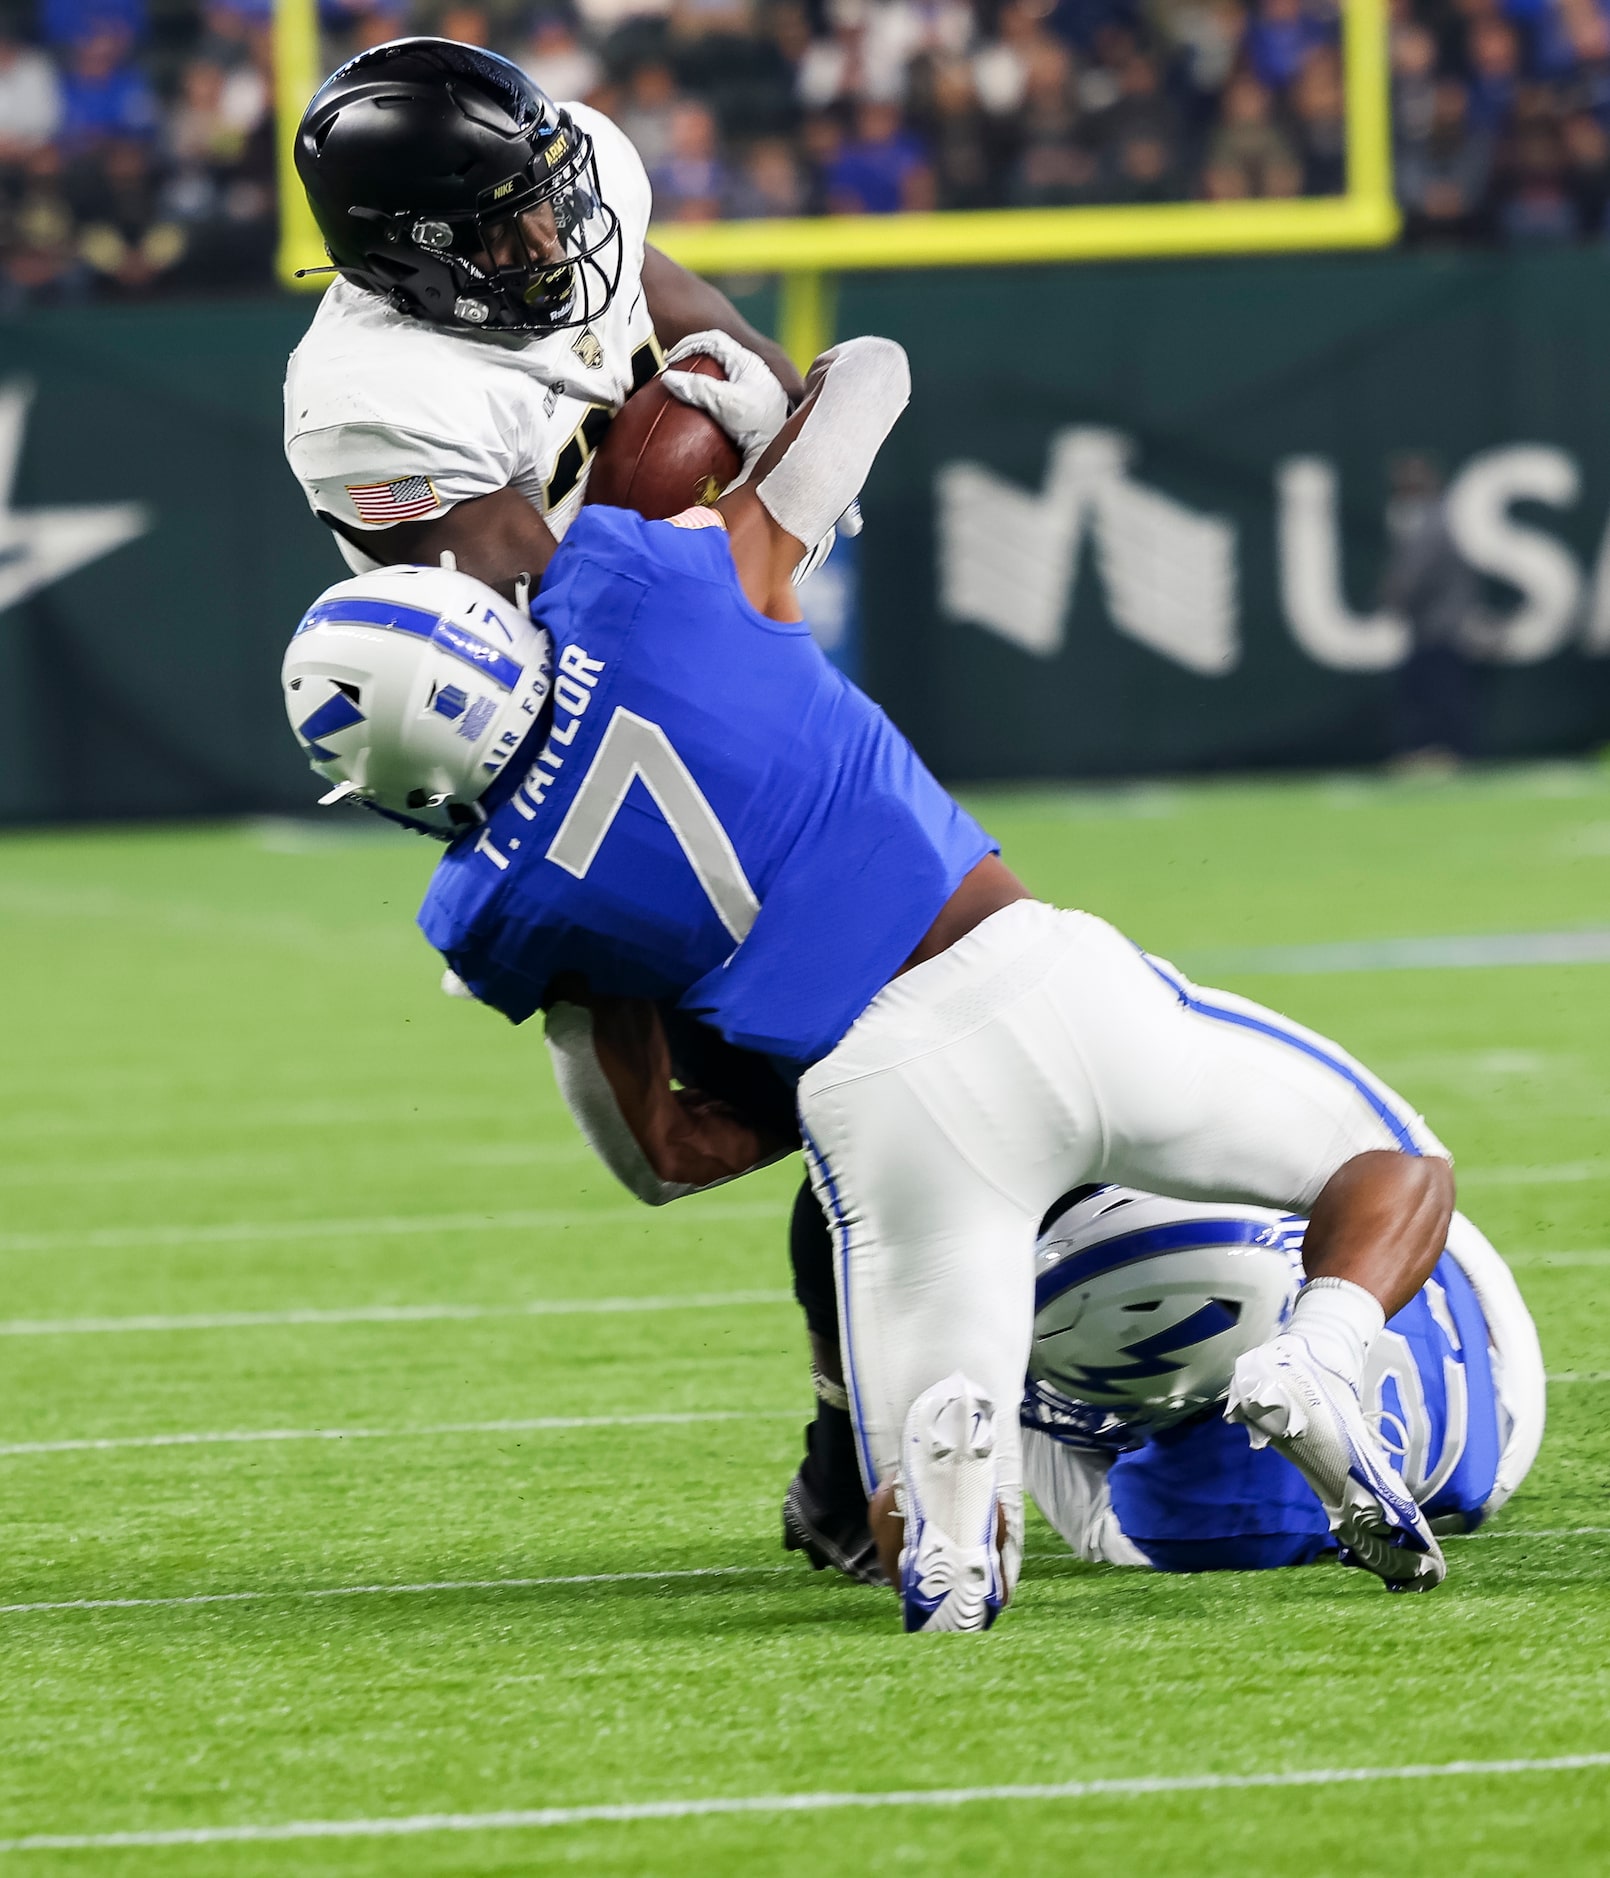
x,y
410,690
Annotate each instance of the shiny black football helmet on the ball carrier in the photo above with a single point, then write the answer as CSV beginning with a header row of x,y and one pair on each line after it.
x,y
448,183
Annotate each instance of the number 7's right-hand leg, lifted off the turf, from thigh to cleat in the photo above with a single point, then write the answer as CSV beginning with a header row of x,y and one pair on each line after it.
x,y
1209,1096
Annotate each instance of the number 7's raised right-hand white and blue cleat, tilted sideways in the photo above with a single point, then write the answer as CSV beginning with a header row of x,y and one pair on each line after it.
x,y
1288,1400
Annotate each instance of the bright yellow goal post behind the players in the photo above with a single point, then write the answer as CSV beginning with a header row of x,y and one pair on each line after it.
x,y
807,253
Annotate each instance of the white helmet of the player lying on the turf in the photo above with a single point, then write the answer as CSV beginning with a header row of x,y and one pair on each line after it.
x,y
1143,1308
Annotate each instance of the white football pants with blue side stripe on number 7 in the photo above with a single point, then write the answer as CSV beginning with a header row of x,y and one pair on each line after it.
x,y
1040,1053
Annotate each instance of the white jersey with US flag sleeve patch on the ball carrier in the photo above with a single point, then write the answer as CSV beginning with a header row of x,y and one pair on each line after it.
x,y
392,420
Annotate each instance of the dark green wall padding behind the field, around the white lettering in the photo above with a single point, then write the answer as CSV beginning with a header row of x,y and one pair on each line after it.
x,y
146,685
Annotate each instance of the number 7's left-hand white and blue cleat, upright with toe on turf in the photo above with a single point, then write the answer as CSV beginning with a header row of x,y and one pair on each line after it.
x,y
952,1567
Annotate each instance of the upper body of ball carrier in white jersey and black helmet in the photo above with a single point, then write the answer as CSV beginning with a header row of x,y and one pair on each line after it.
x,y
495,309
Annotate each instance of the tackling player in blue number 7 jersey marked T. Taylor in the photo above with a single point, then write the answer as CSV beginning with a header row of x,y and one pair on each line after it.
x,y
658,790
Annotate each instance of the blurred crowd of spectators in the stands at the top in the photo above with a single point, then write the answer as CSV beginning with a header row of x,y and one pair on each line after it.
x,y
138,155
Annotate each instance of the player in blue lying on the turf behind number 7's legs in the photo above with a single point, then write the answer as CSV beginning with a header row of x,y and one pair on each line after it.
x,y
1143,1308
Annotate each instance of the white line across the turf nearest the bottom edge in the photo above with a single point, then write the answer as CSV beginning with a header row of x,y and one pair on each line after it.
x,y
760,1804
